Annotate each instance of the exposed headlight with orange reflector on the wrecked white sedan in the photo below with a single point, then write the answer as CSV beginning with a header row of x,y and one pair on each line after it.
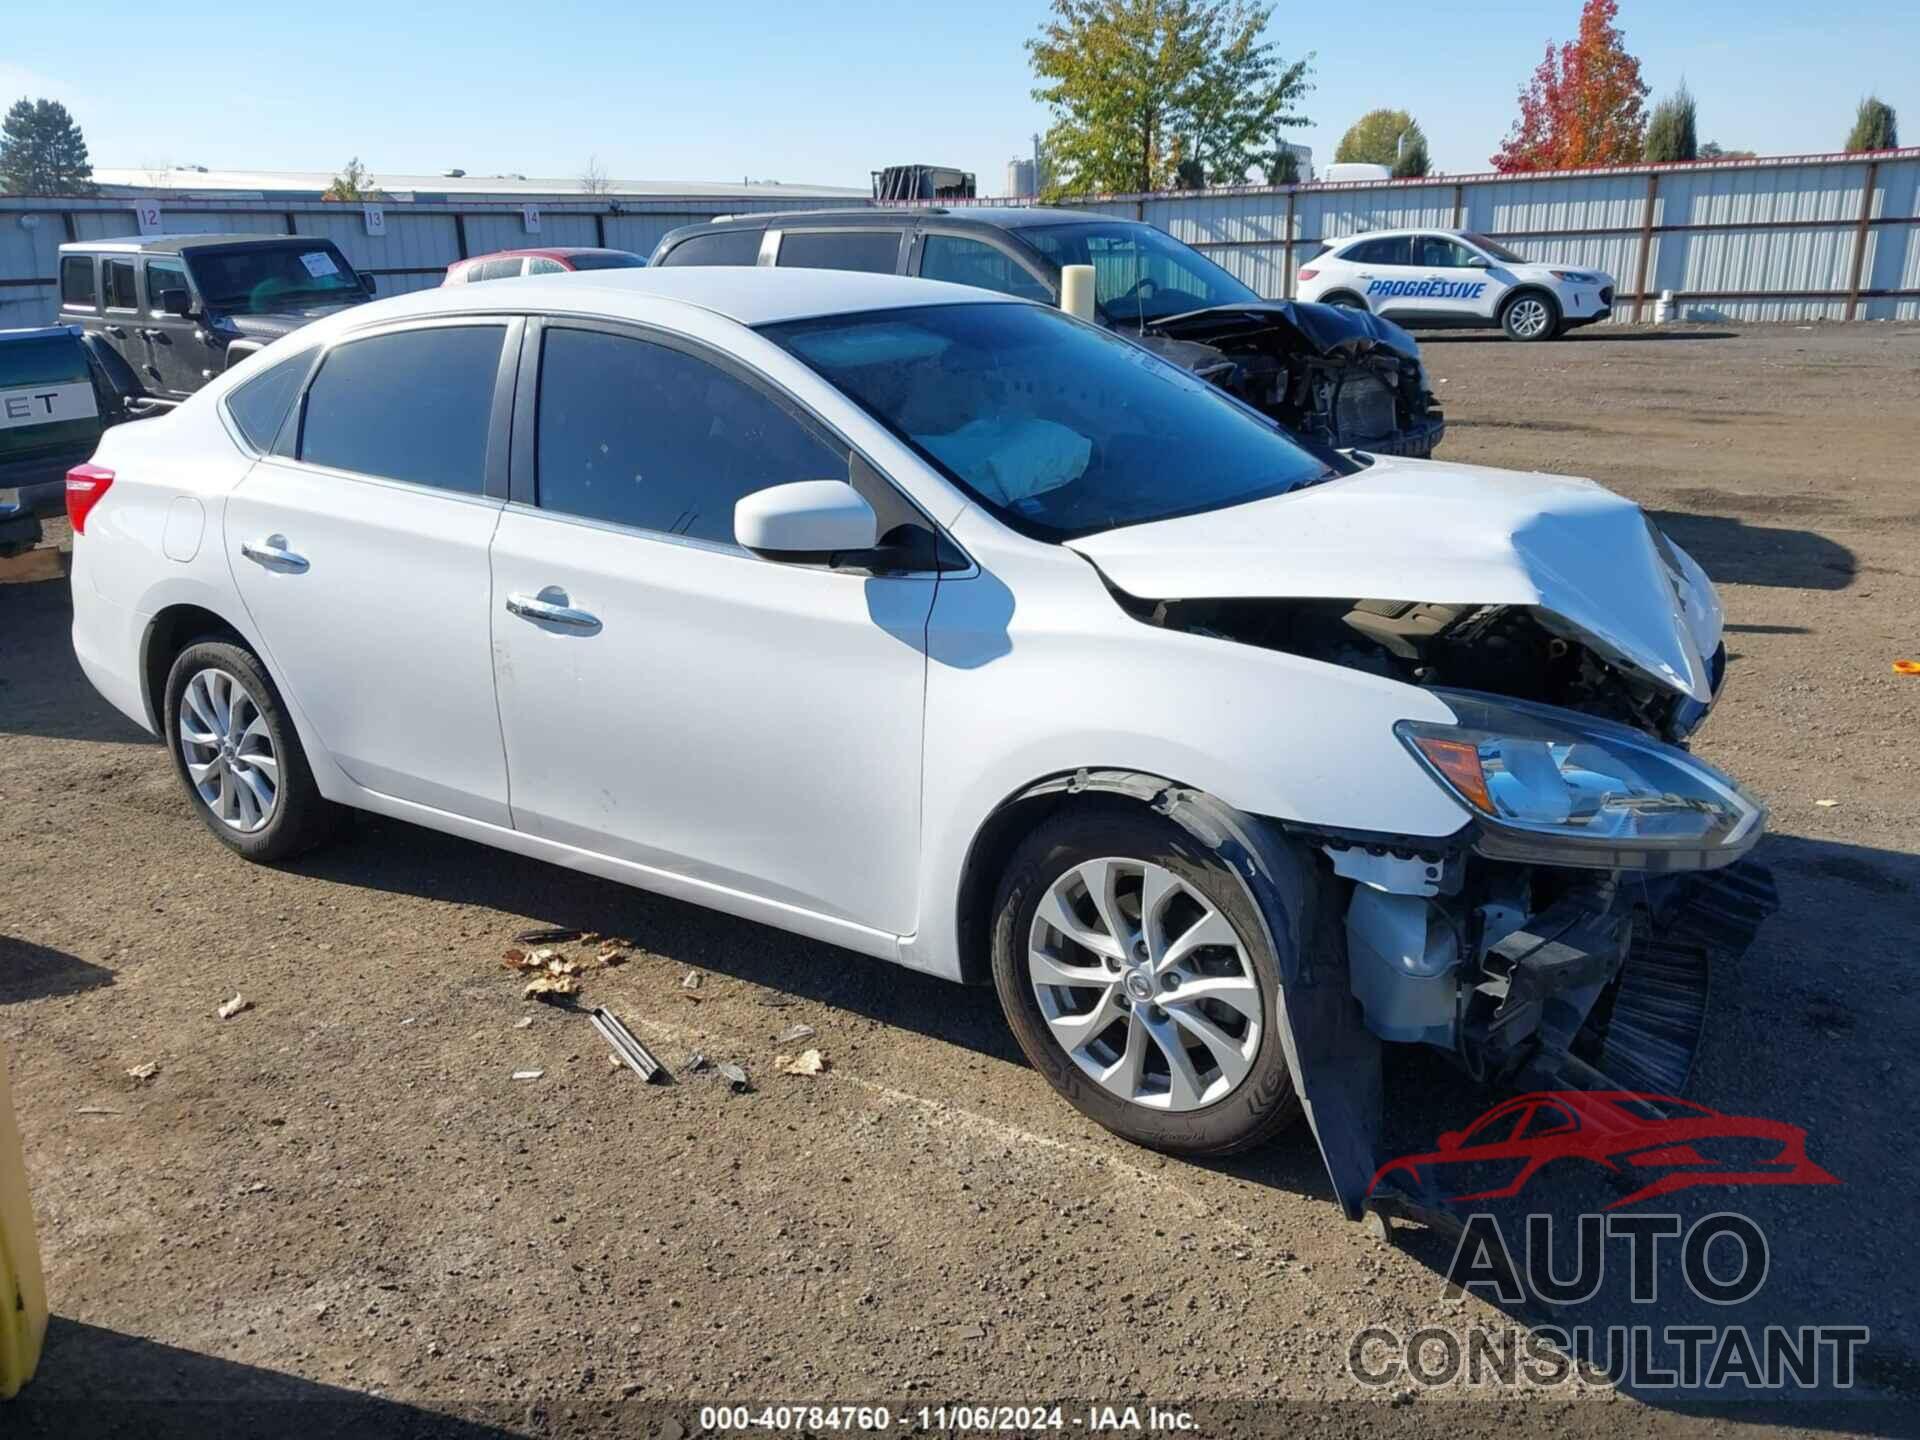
x,y
1552,786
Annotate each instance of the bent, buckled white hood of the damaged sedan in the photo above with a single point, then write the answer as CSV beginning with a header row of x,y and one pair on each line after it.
x,y
1587,560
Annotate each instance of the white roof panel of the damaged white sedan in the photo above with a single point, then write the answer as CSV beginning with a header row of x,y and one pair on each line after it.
x,y
748,295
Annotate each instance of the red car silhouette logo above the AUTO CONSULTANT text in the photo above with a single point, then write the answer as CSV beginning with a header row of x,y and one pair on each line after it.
x,y
1673,1143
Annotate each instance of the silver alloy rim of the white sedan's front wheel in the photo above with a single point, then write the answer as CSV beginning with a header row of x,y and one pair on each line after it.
x,y
1145,984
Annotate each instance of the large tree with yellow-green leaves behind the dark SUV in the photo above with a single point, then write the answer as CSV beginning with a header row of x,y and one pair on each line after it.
x,y
1138,87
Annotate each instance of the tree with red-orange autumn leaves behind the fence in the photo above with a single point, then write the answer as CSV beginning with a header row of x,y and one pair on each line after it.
x,y
1583,105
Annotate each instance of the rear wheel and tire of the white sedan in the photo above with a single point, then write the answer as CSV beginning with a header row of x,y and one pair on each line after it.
x,y
239,754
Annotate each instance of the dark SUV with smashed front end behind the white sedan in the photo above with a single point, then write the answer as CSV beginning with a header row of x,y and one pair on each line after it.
x,y
1341,379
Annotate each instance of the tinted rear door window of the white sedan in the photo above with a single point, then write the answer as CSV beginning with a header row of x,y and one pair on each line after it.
x,y
412,406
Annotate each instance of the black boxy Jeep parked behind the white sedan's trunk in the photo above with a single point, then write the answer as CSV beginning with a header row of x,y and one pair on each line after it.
x,y
166,314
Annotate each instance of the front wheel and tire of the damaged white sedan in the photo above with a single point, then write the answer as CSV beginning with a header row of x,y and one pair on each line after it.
x,y
1220,1113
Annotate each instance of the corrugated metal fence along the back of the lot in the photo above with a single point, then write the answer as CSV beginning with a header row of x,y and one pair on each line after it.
x,y
1777,239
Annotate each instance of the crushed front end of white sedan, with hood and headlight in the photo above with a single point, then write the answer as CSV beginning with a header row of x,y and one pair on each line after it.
x,y
1564,934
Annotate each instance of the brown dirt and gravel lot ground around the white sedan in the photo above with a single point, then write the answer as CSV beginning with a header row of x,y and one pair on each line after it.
x,y
341,1201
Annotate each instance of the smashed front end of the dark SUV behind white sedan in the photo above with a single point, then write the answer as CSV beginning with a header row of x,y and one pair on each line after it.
x,y
1341,377
